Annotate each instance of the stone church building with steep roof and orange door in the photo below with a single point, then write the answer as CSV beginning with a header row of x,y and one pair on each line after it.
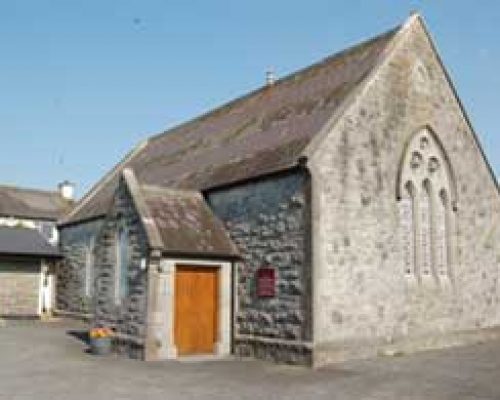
x,y
344,211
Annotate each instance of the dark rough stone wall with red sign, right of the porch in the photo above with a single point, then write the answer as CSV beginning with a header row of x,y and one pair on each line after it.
x,y
269,222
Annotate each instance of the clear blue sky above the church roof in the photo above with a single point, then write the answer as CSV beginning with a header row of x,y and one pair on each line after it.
x,y
82,82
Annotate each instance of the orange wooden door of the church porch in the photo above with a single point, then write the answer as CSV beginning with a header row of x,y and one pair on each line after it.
x,y
196,304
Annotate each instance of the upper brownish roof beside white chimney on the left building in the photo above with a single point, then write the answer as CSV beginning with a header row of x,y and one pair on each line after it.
x,y
32,203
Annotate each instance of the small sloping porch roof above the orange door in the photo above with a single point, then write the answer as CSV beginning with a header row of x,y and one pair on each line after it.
x,y
179,222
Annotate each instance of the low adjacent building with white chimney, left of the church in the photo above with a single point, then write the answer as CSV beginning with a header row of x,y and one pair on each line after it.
x,y
28,249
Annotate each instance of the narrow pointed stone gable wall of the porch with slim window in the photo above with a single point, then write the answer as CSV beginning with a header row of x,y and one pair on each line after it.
x,y
128,317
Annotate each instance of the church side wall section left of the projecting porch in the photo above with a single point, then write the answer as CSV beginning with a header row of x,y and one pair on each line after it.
x,y
75,244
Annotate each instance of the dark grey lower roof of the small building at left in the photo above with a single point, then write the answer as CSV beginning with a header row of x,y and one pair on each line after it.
x,y
24,241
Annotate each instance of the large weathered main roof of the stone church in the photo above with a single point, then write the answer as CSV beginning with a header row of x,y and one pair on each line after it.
x,y
260,133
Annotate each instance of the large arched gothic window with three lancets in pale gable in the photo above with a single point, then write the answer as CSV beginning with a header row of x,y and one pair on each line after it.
x,y
427,201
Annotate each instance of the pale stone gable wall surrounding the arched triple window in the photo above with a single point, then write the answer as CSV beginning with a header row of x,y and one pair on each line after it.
x,y
363,296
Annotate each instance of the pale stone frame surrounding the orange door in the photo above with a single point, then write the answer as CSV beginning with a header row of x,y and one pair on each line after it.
x,y
164,333
